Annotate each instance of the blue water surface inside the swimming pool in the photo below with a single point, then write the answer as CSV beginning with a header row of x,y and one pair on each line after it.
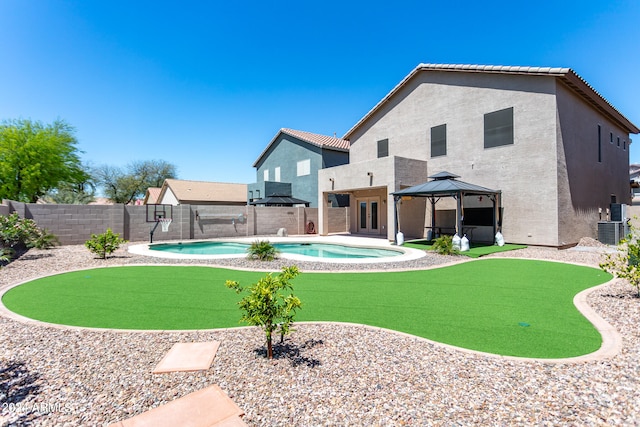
x,y
317,250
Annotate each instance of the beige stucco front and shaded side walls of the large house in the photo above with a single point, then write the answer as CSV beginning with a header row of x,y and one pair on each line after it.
x,y
551,182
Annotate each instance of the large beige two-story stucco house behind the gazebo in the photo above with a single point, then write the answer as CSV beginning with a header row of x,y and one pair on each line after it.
x,y
543,137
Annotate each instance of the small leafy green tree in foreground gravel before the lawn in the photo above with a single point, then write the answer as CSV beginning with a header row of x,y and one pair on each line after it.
x,y
267,307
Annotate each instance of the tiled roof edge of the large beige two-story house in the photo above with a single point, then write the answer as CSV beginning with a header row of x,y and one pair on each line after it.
x,y
566,75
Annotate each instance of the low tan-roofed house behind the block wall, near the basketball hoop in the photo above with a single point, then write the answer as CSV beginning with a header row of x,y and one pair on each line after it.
x,y
204,191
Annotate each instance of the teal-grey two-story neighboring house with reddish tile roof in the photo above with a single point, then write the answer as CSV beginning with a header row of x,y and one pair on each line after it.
x,y
289,166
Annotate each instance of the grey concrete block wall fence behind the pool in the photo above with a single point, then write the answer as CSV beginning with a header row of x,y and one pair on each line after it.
x,y
74,224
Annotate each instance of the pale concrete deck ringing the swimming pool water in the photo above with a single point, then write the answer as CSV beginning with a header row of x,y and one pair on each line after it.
x,y
406,254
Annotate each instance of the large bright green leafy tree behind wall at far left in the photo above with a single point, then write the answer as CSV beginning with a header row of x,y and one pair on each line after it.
x,y
36,158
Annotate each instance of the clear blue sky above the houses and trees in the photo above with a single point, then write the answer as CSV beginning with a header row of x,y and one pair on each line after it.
x,y
206,85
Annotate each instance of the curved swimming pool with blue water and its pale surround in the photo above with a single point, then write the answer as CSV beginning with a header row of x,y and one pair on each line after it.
x,y
334,249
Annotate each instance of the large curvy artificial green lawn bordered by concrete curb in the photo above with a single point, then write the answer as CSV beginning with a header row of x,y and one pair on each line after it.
x,y
503,306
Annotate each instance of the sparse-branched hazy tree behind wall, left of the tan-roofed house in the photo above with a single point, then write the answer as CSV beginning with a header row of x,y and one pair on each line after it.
x,y
126,185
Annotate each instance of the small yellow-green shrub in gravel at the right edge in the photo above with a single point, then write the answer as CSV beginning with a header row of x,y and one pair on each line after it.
x,y
625,262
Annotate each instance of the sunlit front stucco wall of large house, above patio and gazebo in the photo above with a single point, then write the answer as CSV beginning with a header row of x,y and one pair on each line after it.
x,y
525,172
